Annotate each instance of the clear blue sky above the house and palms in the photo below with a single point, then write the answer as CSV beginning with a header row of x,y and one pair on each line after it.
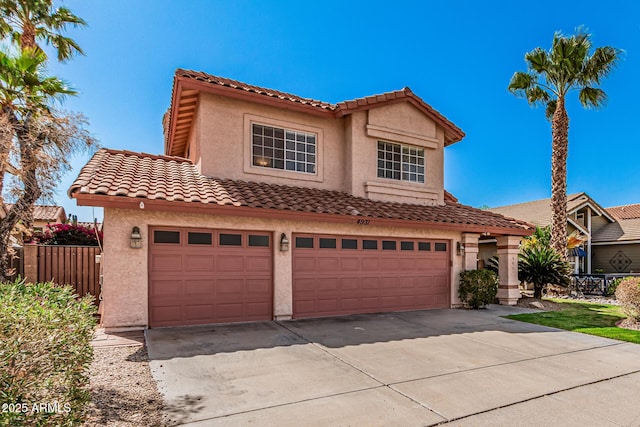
x,y
457,55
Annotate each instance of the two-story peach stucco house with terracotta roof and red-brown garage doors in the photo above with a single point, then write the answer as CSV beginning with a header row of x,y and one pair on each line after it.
x,y
266,205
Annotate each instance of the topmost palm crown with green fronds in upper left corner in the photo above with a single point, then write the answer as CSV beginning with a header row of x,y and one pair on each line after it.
x,y
26,22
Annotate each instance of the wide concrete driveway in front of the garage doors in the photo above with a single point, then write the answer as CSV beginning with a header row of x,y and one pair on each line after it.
x,y
420,368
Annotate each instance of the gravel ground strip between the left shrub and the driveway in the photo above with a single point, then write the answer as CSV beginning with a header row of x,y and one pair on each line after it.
x,y
123,392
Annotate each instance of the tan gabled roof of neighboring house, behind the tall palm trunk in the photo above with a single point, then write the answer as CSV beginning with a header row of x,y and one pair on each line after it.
x,y
539,212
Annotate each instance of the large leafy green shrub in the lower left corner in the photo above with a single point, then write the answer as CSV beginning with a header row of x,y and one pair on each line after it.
x,y
45,353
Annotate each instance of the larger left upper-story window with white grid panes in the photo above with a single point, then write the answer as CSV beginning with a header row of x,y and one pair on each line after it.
x,y
280,148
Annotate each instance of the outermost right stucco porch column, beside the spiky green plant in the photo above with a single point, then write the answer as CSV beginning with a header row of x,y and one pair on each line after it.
x,y
508,289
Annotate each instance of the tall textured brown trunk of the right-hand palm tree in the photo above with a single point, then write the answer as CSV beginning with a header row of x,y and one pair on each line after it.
x,y
560,151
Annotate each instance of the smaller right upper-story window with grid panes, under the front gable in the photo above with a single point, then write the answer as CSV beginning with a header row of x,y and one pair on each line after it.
x,y
400,162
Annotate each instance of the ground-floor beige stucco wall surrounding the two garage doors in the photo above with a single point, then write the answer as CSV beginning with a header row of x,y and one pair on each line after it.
x,y
125,289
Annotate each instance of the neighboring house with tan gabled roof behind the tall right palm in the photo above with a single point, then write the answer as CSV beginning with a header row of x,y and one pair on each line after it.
x,y
613,234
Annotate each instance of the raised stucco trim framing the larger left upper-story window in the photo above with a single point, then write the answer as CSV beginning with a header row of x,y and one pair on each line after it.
x,y
248,167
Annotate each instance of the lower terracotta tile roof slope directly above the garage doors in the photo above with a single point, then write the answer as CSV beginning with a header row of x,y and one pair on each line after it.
x,y
139,175
